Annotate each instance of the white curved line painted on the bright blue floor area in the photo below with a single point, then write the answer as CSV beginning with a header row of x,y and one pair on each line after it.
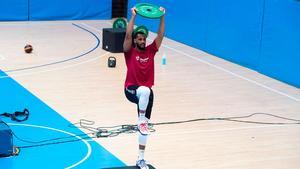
x,y
62,131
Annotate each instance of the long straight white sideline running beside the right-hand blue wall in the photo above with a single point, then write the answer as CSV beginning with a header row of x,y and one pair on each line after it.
x,y
232,73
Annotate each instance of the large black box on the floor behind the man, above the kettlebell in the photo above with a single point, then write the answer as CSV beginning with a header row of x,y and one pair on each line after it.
x,y
112,39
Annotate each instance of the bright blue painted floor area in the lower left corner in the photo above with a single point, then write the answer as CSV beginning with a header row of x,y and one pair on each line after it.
x,y
44,123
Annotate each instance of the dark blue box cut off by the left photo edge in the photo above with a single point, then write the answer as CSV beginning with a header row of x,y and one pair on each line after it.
x,y
6,140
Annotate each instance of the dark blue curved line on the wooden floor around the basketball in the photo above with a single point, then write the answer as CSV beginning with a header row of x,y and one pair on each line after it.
x,y
62,61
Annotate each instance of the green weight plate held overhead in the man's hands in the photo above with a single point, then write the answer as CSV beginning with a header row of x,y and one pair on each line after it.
x,y
148,10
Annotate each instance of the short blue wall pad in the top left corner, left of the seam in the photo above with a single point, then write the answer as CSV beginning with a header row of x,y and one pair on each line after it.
x,y
13,10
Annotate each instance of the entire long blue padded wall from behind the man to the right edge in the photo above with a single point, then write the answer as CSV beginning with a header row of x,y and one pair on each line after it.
x,y
263,35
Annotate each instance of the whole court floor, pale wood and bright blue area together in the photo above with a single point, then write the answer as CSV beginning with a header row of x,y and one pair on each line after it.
x,y
208,112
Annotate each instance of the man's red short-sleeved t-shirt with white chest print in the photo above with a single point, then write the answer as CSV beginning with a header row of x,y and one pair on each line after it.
x,y
140,66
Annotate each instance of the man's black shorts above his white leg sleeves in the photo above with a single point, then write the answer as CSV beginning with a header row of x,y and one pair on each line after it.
x,y
130,93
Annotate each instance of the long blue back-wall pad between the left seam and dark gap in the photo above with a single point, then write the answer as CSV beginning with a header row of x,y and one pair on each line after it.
x,y
70,9
